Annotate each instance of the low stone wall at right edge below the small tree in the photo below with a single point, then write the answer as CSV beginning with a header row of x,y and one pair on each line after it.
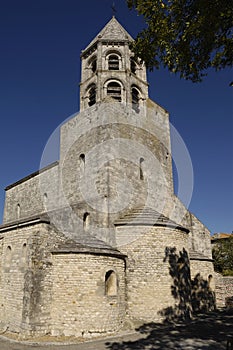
x,y
223,289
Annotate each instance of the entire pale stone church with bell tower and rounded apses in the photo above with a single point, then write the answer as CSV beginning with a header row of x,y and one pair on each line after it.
x,y
89,244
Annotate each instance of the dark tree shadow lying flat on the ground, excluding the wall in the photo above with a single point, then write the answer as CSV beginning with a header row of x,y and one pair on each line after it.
x,y
209,331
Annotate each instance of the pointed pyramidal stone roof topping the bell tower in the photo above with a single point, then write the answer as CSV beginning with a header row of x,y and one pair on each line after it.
x,y
113,31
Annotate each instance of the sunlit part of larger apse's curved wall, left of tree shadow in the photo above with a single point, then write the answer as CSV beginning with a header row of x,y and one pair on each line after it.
x,y
149,283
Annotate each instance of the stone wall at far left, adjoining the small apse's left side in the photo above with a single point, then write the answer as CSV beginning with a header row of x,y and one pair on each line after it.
x,y
26,285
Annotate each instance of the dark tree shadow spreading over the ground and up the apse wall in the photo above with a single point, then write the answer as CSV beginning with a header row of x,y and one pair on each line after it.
x,y
192,322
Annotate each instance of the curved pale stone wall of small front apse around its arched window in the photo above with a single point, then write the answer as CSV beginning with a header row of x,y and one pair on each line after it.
x,y
80,305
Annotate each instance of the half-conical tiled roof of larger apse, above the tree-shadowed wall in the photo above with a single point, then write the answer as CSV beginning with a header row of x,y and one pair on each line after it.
x,y
147,217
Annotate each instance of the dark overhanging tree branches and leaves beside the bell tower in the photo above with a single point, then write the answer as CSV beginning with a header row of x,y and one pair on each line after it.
x,y
186,36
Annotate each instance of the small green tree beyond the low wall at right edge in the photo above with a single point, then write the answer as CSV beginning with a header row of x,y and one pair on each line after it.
x,y
223,256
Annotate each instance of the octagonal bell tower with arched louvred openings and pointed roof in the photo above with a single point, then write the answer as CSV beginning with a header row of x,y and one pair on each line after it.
x,y
109,70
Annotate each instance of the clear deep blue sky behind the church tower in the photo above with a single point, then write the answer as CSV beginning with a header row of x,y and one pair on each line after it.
x,y
41,43
